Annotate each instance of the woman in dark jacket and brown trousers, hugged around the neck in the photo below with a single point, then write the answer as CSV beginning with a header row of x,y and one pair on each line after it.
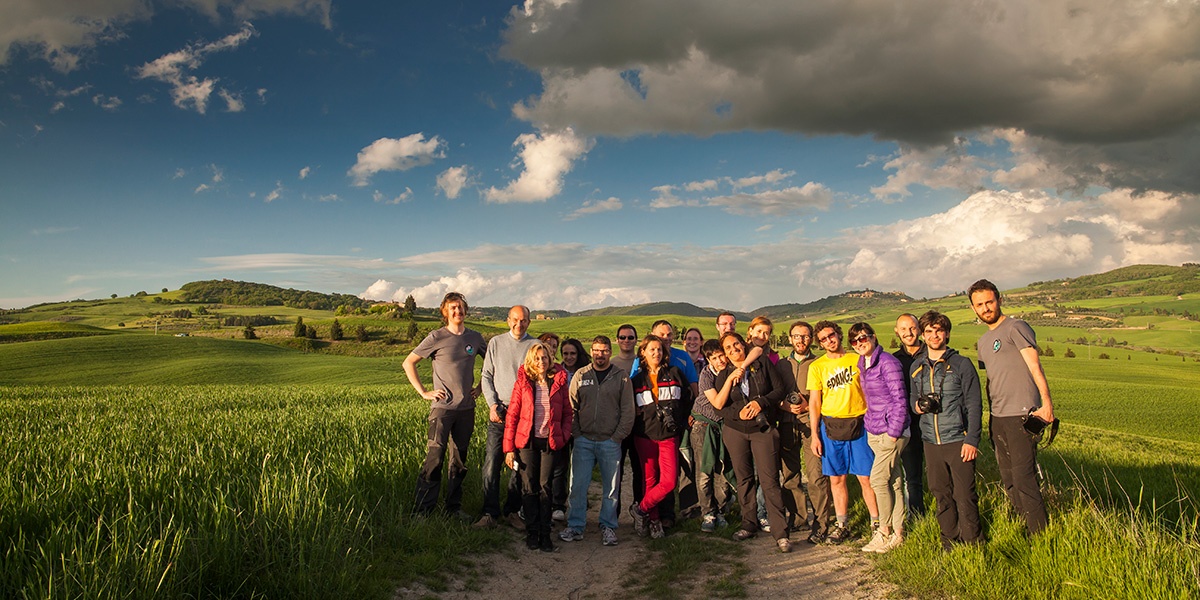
x,y
749,392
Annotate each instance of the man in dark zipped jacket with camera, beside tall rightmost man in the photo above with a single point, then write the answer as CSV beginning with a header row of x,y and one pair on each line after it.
x,y
946,392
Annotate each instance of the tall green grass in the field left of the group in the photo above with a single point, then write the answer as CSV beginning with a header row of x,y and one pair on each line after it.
x,y
229,491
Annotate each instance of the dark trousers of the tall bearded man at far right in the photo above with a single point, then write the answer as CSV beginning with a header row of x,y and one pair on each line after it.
x,y
1017,454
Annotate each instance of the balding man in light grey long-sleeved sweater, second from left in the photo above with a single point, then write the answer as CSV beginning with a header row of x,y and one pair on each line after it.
x,y
506,355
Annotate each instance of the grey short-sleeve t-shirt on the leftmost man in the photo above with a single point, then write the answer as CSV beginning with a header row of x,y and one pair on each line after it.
x,y
453,358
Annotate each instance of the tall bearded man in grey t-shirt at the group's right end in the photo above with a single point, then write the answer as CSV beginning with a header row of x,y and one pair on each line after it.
x,y
1016,385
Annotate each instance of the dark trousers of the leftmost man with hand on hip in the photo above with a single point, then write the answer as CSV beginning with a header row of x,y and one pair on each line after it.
x,y
449,439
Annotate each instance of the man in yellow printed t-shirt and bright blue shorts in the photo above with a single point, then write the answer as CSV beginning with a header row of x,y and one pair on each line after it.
x,y
837,403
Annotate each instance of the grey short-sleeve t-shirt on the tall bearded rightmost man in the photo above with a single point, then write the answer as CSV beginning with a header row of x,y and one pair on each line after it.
x,y
1011,386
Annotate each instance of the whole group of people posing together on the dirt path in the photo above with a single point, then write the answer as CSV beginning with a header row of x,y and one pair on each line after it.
x,y
728,413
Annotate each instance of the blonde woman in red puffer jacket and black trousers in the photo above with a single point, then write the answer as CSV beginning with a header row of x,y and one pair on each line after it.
x,y
538,427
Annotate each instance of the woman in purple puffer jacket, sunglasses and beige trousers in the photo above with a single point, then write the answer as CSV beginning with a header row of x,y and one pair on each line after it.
x,y
887,433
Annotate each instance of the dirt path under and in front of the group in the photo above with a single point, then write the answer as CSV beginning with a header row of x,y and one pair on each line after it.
x,y
590,571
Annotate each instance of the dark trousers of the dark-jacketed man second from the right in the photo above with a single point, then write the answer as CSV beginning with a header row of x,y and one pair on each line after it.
x,y
953,485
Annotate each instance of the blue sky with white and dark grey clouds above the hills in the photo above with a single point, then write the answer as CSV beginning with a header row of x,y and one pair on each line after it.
x,y
577,154
